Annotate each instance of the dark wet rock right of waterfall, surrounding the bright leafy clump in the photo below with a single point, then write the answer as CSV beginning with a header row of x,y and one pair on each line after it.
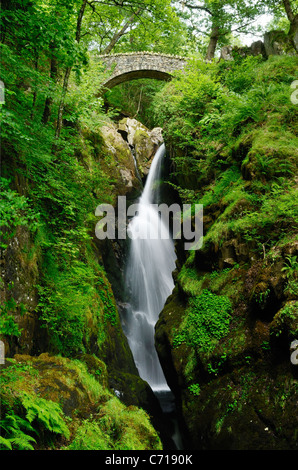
x,y
242,395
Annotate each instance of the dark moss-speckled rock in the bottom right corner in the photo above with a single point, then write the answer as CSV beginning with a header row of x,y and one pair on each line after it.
x,y
251,409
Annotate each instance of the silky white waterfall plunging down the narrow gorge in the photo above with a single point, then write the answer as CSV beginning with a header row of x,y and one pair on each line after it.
x,y
151,262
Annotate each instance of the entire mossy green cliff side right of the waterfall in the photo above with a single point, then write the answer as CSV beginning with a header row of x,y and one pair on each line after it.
x,y
224,337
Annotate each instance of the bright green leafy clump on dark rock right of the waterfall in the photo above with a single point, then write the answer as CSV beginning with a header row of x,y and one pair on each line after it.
x,y
206,323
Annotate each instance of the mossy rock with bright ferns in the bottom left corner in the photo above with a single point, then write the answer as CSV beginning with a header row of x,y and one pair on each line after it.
x,y
48,401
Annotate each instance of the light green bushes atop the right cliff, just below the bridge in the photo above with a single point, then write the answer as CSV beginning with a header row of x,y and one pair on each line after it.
x,y
214,102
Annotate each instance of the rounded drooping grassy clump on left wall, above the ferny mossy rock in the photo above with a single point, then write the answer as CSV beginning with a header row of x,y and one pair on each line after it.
x,y
74,303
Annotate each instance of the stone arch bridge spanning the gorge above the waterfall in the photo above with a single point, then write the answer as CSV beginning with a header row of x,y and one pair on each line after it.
x,y
131,66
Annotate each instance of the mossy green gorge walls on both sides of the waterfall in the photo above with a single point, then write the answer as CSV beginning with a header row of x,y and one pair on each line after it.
x,y
224,336
